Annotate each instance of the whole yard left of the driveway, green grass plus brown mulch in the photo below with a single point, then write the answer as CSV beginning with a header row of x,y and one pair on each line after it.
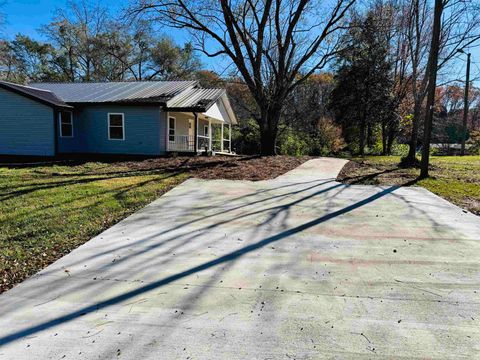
x,y
47,211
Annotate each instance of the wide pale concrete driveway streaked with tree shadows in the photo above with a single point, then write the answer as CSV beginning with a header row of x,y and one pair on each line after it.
x,y
300,267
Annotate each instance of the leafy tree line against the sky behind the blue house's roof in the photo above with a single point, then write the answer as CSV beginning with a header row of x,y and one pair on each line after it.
x,y
87,43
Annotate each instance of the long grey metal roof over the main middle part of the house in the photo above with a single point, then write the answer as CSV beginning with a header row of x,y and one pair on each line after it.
x,y
130,92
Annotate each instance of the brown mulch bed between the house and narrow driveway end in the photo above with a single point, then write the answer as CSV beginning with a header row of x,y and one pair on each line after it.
x,y
222,167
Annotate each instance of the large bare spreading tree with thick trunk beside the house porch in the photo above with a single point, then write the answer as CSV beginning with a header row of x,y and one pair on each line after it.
x,y
274,44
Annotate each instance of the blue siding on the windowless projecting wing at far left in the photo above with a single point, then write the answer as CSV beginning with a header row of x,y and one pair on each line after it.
x,y
26,126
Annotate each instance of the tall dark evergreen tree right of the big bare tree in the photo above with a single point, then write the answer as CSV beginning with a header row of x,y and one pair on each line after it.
x,y
362,98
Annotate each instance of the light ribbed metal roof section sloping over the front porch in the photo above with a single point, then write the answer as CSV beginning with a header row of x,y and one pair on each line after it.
x,y
193,98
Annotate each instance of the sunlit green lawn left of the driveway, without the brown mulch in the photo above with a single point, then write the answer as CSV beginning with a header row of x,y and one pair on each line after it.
x,y
47,211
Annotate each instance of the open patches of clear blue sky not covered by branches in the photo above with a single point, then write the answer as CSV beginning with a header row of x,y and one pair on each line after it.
x,y
26,17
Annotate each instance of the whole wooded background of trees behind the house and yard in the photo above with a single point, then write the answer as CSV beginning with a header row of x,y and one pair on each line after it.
x,y
305,77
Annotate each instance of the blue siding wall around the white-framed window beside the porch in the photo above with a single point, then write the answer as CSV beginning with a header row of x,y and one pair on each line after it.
x,y
145,131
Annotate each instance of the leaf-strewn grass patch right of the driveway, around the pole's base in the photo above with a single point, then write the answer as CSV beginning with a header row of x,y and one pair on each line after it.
x,y
454,178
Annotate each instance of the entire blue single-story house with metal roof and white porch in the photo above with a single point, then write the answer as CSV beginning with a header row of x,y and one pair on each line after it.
x,y
138,118
